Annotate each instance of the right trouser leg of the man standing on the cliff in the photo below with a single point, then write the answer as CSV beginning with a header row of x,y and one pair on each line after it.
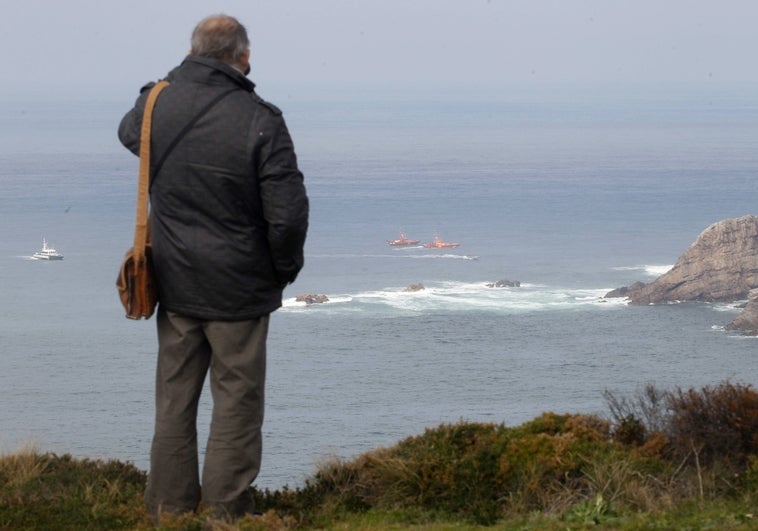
x,y
238,373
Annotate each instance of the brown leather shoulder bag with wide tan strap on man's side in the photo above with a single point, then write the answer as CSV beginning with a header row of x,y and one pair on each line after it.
x,y
136,282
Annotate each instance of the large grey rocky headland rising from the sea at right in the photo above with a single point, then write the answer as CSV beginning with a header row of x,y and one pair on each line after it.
x,y
721,266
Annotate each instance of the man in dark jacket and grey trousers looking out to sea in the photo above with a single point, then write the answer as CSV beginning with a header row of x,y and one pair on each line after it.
x,y
229,215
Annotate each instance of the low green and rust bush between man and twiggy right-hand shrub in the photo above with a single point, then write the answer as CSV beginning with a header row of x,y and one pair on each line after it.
x,y
474,471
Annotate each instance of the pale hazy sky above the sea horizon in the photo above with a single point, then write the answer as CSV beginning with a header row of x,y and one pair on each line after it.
x,y
111,47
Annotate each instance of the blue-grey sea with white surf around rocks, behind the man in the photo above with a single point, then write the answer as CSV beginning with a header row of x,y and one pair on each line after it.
x,y
569,192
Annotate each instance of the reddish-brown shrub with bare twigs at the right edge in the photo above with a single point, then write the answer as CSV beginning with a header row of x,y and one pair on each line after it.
x,y
709,436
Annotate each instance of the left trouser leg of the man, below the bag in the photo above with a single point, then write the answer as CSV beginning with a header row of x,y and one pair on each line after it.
x,y
183,356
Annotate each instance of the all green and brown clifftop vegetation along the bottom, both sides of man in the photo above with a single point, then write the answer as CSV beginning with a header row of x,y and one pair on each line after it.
x,y
681,459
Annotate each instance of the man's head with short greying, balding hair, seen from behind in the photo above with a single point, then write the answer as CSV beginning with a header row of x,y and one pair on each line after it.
x,y
224,38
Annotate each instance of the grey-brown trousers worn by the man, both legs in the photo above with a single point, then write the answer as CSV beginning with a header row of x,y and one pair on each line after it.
x,y
235,353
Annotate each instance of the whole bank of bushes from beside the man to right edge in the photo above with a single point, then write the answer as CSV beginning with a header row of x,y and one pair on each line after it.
x,y
653,452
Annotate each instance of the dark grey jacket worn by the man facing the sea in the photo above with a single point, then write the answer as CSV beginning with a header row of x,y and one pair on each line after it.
x,y
229,211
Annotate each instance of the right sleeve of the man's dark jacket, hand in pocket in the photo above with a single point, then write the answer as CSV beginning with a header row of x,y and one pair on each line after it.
x,y
284,200
